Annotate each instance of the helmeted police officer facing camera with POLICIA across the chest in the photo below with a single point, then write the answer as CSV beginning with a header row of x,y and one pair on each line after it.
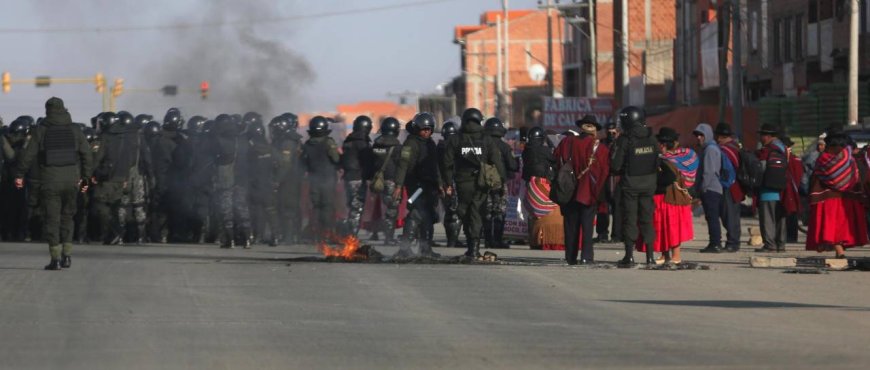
x,y
463,160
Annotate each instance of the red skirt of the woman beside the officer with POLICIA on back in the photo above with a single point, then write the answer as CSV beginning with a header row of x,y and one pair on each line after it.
x,y
673,225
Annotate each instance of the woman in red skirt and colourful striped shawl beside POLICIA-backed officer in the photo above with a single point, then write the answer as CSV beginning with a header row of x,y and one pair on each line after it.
x,y
673,204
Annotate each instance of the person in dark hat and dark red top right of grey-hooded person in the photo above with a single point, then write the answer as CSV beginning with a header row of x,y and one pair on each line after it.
x,y
734,195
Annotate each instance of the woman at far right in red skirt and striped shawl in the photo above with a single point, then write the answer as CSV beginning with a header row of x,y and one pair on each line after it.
x,y
837,219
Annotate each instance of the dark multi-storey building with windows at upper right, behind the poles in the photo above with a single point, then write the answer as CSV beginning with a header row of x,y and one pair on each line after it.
x,y
789,45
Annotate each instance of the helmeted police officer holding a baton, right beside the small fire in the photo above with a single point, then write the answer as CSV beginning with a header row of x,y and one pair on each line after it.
x,y
418,173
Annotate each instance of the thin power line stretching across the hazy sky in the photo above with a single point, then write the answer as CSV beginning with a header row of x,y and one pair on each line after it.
x,y
218,24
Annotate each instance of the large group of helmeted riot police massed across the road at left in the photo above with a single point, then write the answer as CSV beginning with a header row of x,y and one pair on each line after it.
x,y
236,180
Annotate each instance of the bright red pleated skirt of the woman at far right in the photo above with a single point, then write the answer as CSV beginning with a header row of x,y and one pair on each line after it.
x,y
836,221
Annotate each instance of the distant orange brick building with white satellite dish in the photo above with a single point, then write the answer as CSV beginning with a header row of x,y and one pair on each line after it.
x,y
477,86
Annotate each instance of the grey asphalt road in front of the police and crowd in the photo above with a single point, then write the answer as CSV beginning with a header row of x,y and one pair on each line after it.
x,y
199,307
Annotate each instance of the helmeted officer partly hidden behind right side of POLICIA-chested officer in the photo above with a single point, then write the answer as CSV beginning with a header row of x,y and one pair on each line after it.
x,y
496,201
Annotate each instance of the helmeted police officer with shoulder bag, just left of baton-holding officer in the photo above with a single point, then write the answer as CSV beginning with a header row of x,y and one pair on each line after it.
x,y
387,151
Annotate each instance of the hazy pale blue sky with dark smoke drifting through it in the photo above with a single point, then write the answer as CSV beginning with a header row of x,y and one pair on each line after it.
x,y
329,60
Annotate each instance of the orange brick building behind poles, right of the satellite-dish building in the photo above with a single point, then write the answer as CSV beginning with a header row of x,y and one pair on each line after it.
x,y
651,33
